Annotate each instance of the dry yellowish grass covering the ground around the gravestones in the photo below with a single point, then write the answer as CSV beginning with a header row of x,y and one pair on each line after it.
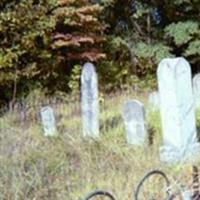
x,y
68,167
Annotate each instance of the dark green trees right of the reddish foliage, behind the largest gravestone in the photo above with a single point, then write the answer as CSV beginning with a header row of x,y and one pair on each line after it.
x,y
153,30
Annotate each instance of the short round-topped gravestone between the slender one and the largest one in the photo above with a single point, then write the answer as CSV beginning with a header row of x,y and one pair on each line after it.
x,y
133,115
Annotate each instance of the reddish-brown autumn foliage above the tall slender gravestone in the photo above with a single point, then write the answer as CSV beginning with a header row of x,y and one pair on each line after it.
x,y
79,33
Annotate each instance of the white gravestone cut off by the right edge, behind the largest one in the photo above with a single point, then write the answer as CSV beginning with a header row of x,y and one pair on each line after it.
x,y
196,89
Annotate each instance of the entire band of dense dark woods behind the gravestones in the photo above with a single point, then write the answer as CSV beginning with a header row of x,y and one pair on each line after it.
x,y
43,43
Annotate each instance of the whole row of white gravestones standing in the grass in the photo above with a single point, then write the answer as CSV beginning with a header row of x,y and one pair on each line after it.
x,y
174,99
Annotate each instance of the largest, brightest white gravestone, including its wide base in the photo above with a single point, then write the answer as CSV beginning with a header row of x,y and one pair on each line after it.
x,y
177,110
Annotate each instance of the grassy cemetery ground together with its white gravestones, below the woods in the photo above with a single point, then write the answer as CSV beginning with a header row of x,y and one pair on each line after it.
x,y
95,145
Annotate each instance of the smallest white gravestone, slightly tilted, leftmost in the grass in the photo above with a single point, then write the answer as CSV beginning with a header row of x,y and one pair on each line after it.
x,y
48,121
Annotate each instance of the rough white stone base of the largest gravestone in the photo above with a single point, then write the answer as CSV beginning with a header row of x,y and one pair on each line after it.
x,y
171,154
